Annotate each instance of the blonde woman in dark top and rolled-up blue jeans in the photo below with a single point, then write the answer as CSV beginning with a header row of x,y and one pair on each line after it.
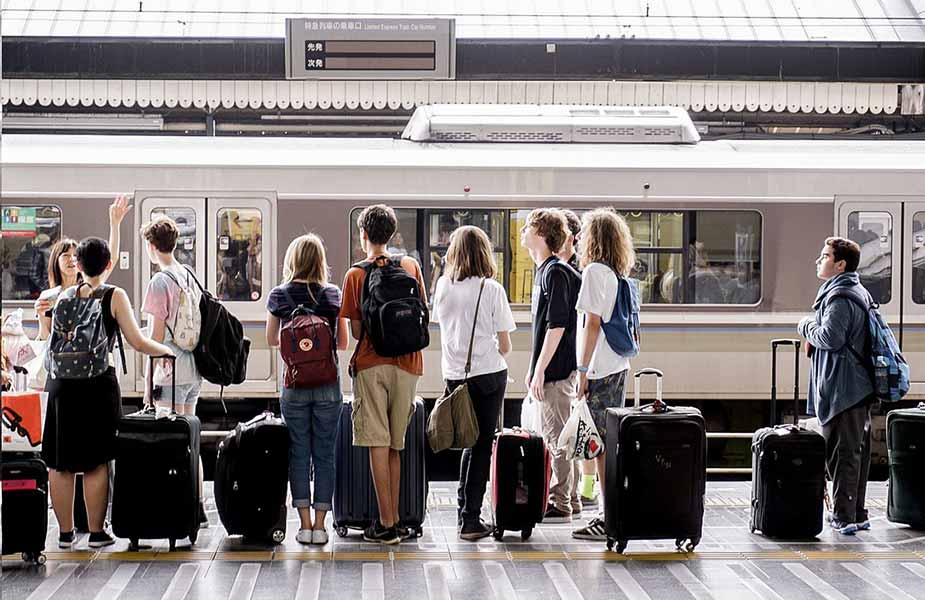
x,y
311,414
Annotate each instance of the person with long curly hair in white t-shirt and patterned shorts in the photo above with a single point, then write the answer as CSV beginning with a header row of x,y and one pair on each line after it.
x,y
606,249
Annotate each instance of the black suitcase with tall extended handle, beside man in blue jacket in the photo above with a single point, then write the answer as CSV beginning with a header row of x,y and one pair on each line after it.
x,y
788,469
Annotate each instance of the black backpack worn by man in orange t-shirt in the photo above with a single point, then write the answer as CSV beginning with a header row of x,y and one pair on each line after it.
x,y
394,314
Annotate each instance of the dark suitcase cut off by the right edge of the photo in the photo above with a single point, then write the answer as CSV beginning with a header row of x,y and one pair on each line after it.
x,y
905,442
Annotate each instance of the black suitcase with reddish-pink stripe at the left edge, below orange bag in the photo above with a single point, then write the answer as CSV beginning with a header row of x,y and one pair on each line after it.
x,y
25,506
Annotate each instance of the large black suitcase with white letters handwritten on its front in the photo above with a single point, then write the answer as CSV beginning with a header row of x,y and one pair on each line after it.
x,y
656,472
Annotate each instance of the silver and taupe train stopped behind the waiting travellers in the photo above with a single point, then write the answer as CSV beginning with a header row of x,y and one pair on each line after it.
x,y
727,232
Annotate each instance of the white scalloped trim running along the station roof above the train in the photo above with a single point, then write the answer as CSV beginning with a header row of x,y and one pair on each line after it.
x,y
695,96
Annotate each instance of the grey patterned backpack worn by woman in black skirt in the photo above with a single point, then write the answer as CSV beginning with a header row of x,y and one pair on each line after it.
x,y
78,347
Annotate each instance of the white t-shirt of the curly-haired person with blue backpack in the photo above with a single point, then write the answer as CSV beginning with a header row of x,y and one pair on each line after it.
x,y
597,295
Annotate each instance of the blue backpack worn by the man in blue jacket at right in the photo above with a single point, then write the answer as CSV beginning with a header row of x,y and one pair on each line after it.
x,y
888,369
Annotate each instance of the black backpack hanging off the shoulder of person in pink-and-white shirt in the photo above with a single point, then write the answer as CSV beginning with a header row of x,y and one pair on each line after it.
x,y
221,354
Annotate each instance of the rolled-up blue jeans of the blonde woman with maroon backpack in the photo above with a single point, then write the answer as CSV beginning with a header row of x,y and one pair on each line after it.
x,y
312,416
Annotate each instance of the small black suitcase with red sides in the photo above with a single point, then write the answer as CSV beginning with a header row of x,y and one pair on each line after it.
x,y
520,470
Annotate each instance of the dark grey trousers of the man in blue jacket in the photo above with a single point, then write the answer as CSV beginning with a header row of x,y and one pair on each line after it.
x,y
847,447
